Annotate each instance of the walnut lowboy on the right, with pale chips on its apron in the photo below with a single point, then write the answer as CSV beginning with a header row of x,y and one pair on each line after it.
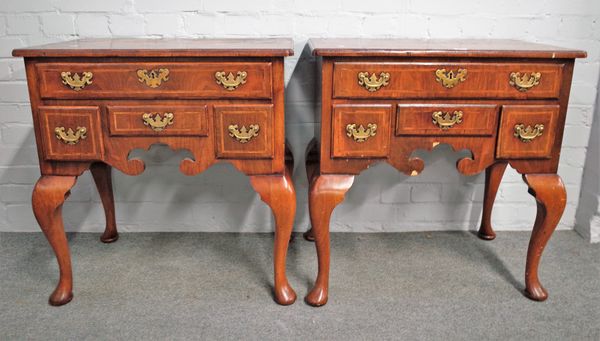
x,y
382,99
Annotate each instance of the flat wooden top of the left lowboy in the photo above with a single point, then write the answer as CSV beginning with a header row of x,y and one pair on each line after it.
x,y
166,47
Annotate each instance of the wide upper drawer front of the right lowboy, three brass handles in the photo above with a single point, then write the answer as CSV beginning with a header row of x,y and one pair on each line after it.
x,y
450,80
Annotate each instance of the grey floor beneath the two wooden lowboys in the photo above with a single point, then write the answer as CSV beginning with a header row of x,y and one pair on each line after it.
x,y
429,286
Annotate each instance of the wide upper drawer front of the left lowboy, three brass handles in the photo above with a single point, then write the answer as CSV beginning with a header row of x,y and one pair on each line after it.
x,y
155,80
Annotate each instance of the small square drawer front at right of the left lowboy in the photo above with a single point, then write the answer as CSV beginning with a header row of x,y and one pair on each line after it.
x,y
244,131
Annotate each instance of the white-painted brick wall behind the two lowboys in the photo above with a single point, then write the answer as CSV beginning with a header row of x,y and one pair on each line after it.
x,y
221,199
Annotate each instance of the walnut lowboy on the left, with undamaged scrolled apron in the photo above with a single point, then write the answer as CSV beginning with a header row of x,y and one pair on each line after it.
x,y
94,101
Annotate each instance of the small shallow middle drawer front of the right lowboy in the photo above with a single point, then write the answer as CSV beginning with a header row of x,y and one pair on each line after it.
x,y
446,120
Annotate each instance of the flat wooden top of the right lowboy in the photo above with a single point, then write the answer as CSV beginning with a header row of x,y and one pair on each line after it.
x,y
485,48
